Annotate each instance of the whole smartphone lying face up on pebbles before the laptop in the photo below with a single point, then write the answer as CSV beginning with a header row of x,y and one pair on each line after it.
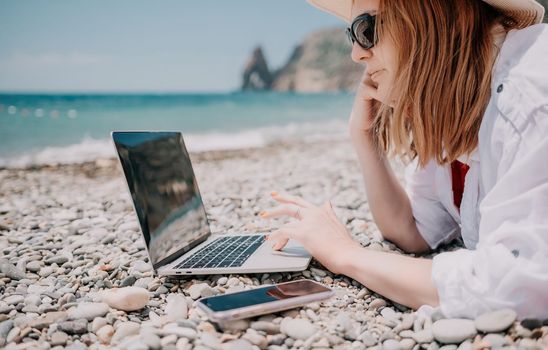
x,y
263,300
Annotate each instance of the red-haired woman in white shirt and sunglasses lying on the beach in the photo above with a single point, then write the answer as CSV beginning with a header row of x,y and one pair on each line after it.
x,y
460,87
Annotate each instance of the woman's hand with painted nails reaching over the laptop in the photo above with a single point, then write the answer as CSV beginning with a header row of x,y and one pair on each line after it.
x,y
316,228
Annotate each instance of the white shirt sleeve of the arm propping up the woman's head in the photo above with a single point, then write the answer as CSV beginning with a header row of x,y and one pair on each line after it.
x,y
434,222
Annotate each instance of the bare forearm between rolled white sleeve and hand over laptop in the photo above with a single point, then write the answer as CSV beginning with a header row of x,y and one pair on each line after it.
x,y
406,280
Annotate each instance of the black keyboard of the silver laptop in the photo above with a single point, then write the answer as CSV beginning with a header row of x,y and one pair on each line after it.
x,y
229,251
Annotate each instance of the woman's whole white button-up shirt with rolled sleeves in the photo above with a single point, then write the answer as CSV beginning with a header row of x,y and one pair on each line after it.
x,y
503,216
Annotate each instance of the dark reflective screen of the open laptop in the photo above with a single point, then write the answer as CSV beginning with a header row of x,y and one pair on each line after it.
x,y
164,191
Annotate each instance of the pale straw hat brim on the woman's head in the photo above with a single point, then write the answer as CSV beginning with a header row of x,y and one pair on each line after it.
x,y
524,12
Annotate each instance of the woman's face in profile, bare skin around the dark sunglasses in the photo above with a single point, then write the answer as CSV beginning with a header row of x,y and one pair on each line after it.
x,y
380,60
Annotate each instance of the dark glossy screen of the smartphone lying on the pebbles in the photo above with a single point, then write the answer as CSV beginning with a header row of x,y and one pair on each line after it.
x,y
263,295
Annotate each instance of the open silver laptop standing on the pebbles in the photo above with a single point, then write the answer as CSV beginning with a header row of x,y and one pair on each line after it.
x,y
173,219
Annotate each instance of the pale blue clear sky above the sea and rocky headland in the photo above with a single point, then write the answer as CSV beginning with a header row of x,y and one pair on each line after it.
x,y
157,46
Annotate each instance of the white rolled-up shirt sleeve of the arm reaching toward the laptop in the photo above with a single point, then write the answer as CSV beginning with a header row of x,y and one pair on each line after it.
x,y
509,268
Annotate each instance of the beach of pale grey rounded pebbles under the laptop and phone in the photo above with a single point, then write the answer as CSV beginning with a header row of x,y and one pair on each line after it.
x,y
74,272
